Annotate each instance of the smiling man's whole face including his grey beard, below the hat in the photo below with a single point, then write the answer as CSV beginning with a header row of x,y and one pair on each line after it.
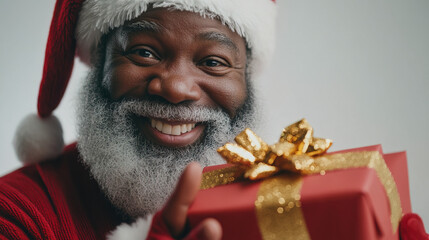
x,y
164,70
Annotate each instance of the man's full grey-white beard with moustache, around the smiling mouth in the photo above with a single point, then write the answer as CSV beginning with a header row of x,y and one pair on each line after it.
x,y
135,174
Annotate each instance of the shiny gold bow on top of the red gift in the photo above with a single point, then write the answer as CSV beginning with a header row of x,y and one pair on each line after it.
x,y
294,151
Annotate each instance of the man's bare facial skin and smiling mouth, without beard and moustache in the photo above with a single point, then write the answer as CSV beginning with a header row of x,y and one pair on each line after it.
x,y
177,58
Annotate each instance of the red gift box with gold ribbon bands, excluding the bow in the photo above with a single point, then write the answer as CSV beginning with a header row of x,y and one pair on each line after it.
x,y
352,201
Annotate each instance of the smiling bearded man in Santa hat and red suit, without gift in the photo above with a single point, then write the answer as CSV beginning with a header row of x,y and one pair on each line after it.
x,y
170,81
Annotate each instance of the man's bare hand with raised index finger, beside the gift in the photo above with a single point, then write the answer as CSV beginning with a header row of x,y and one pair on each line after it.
x,y
172,219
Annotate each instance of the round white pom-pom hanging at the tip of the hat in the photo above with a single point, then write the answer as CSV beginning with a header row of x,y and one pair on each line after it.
x,y
38,139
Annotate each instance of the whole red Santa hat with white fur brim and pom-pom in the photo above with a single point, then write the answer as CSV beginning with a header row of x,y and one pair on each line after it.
x,y
76,29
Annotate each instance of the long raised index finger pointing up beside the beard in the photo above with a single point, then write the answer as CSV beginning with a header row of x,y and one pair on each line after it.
x,y
175,211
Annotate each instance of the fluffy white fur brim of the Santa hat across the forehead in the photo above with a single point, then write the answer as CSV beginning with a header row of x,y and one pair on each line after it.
x,y
253,20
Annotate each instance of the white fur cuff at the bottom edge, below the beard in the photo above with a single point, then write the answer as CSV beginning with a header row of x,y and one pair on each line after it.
x,y
139,230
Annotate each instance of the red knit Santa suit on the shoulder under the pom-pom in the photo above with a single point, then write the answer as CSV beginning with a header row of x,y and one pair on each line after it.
x,y
56,199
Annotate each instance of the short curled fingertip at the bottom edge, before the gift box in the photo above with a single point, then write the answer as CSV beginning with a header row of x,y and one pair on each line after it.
x,y
209,229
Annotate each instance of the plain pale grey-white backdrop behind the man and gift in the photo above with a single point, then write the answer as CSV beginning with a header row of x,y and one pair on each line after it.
x,y
358,70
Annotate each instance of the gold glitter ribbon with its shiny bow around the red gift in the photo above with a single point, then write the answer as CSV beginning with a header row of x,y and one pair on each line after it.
x,y
278,206
